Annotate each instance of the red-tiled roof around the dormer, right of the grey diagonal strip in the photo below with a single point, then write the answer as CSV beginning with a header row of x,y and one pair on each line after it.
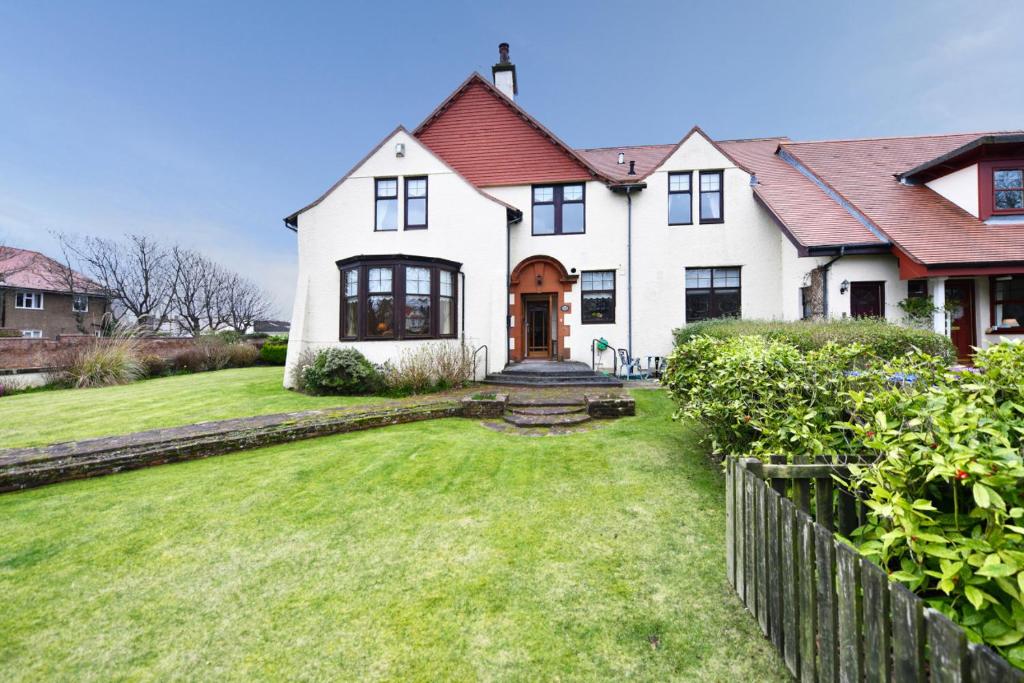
x,y
921,223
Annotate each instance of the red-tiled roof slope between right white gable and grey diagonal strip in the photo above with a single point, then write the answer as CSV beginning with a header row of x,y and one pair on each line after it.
x,y
805,212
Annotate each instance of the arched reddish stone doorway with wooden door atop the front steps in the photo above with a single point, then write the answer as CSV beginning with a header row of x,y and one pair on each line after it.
x,y
538,310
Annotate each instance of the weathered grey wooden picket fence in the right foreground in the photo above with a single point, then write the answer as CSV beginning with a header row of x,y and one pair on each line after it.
x,y
831,614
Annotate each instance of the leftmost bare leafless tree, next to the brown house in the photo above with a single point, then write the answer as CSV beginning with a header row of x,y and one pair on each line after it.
x,y
138,273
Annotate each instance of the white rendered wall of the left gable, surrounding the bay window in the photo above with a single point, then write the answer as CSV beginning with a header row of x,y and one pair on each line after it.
x,y
463,226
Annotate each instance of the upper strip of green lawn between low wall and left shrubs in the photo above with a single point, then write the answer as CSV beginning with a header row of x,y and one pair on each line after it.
x,y
51,417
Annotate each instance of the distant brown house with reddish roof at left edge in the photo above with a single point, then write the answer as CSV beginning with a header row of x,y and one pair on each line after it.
x,y
41,298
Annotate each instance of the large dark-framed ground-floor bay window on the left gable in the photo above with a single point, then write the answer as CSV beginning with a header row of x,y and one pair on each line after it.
x,y
390,297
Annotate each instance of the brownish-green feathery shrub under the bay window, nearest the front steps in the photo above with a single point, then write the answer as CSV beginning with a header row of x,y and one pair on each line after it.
x,y
430,368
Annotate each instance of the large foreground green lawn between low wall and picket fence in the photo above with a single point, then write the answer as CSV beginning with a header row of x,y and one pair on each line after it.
x,y
439,550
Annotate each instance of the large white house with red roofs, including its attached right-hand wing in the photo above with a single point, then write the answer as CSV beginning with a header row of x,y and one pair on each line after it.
x,y
481,225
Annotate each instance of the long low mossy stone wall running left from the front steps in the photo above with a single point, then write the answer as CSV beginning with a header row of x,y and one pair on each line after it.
x,y
26,468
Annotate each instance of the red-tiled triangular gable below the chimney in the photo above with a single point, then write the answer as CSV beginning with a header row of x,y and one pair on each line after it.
x,y
493,142
